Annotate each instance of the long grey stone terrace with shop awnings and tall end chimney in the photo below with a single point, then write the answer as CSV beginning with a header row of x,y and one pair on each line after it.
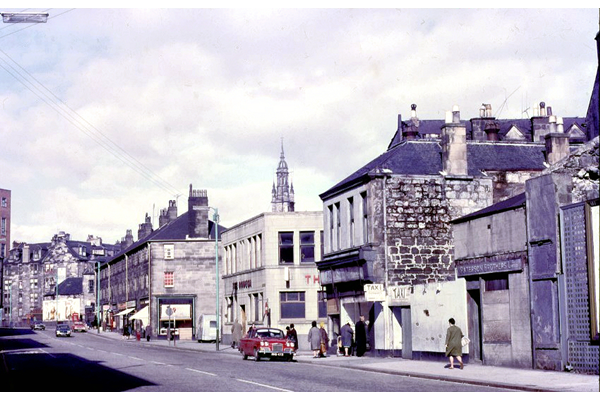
x,y
168,269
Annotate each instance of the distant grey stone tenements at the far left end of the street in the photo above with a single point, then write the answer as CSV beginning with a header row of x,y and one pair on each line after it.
x,y
33,270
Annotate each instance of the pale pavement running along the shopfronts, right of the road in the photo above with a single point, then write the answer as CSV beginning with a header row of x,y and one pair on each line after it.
x,y
531,380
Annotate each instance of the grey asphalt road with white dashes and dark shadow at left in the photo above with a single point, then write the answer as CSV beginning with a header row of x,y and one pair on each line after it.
x,y
40,361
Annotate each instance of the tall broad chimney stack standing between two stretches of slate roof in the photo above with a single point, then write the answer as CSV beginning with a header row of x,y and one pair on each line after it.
x,y
454,144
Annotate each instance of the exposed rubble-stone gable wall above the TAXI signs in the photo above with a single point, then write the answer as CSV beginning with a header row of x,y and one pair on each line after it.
x,y
420,243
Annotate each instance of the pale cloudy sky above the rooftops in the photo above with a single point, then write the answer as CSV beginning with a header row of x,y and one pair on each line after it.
x,y
107,114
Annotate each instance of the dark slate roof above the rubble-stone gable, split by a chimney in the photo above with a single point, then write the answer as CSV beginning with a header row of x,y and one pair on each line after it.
x,y
424,157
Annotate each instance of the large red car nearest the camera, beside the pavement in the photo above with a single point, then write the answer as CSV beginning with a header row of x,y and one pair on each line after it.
x,y
266,342
